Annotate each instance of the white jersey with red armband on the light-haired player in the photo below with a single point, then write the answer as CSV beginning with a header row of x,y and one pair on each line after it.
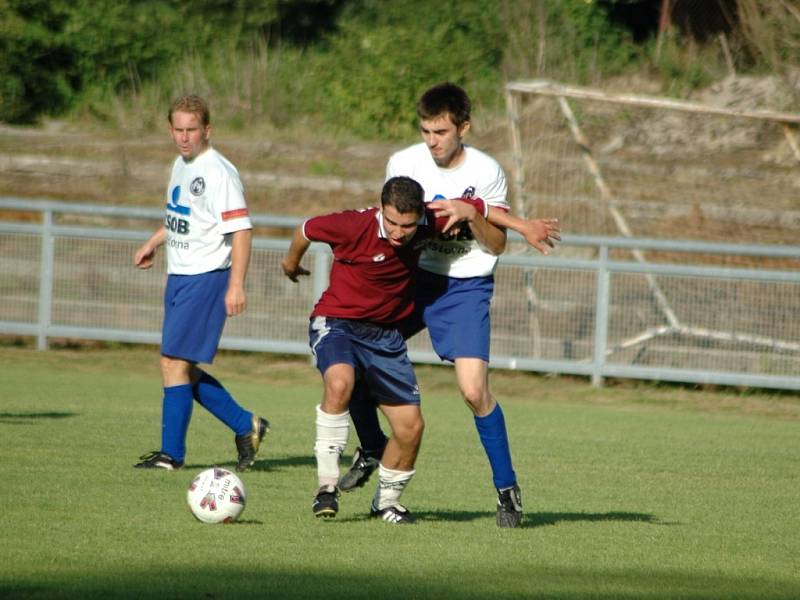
x,y
205,204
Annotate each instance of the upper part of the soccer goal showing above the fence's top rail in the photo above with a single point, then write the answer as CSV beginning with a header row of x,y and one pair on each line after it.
x,y
644,166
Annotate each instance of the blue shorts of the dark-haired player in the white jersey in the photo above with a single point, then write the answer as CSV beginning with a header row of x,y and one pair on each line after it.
x,y
456,313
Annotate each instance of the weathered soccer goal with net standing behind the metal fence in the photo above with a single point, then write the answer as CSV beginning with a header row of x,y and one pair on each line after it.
x,y
621,165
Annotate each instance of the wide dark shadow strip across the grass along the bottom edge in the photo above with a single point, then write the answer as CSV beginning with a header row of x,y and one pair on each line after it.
x,y
530,583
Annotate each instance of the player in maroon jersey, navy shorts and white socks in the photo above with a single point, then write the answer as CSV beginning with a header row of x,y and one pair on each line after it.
x,y
353,335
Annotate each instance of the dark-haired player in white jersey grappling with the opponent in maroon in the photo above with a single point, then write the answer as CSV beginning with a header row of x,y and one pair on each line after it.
x,y
455,282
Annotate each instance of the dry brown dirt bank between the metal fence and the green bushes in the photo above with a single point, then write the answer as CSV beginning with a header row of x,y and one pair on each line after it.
x,y
736,184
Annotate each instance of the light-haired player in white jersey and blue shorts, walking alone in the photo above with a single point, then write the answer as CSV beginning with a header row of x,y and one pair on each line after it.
x,y
207,233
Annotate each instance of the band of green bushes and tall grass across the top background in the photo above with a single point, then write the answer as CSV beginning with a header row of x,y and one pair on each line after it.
x,y
350,65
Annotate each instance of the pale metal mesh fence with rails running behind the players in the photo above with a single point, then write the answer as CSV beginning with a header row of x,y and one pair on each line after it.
x,y
592,308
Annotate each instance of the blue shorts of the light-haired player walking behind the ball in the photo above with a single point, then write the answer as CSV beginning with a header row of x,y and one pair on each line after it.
x,y
194,315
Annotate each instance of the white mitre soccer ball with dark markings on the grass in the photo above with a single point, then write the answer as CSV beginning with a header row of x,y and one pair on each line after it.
x,y
216,496
